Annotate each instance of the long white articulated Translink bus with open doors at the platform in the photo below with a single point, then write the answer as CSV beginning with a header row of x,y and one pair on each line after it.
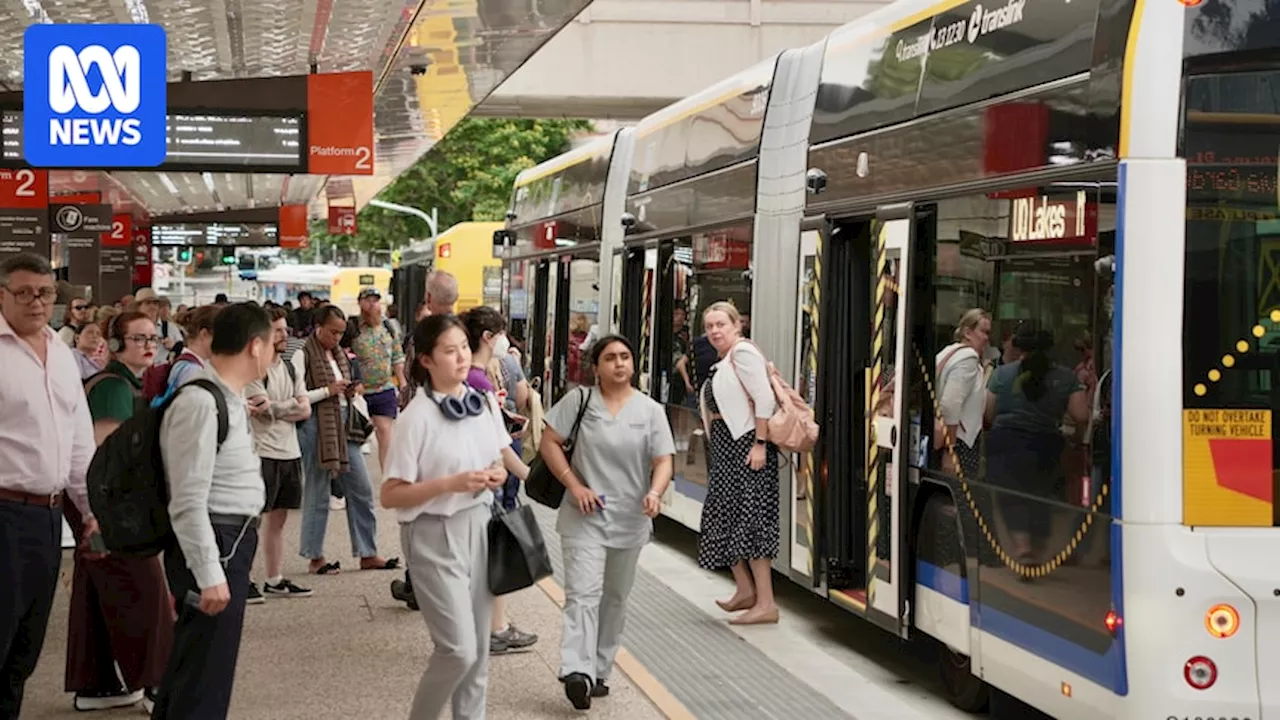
x,y
1099,177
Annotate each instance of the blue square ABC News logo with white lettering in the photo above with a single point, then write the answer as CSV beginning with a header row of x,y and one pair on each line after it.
x,y
94,95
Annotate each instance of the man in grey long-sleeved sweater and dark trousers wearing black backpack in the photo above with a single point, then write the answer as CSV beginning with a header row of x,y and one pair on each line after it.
x,y
217,495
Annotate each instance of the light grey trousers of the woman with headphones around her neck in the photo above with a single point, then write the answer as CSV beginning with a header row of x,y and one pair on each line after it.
x,y
449,560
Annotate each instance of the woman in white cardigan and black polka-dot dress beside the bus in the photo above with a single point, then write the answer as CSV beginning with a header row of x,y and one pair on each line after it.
x,y
740,514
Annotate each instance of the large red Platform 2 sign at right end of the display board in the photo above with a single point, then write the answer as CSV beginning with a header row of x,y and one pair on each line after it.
x,y
341,124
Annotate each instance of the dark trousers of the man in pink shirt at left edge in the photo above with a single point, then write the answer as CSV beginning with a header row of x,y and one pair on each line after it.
x,y
31,548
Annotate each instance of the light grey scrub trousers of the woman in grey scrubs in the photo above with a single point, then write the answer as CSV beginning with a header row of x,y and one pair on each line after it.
x,y
597,584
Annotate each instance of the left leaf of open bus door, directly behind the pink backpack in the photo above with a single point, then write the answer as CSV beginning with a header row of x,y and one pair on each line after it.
x,y
806,382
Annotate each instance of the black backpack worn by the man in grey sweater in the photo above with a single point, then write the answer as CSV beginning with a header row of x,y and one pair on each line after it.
x,y
126,481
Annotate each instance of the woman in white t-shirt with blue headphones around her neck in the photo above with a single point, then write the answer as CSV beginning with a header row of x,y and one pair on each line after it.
x,y
446,459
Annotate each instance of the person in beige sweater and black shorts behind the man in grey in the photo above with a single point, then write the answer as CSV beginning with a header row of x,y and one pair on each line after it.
x,y
276,405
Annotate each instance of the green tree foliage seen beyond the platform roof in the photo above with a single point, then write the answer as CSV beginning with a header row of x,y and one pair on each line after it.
x,y
468,176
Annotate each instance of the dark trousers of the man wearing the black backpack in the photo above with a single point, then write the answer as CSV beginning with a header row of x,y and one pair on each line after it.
x,y
202,675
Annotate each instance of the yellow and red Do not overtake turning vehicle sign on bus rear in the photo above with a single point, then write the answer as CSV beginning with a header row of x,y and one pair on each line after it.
x,y
1228,468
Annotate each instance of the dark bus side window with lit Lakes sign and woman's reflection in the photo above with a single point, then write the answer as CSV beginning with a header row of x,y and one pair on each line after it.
x,y
1017,312
